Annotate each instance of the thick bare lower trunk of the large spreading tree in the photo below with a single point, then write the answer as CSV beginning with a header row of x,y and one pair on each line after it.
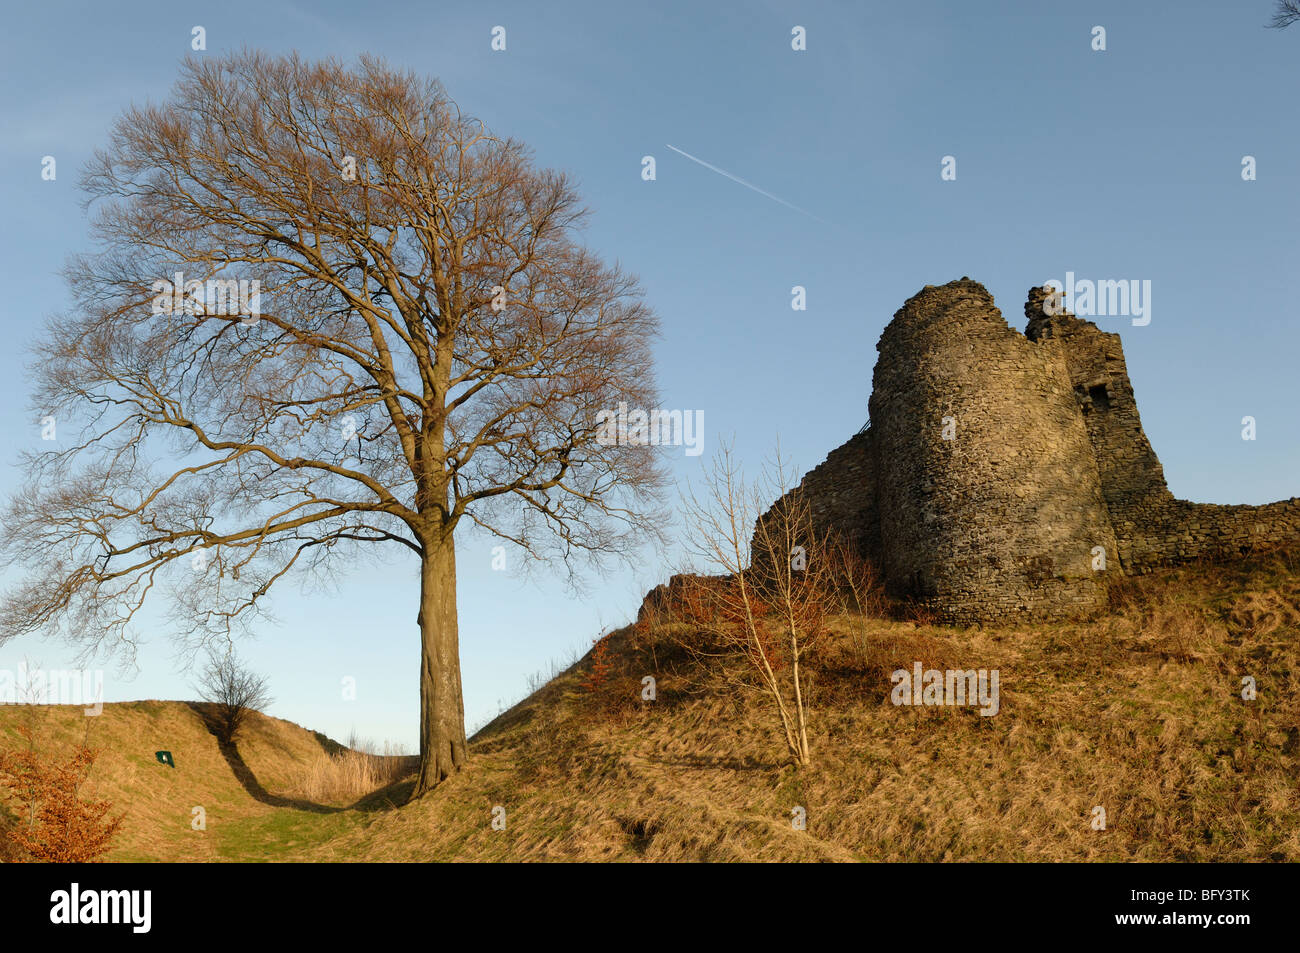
x,y
443,711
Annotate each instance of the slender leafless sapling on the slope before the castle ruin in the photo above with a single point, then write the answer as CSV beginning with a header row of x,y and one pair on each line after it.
x,y
778,582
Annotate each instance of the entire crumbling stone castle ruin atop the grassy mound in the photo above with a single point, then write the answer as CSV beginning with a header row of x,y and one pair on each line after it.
x,y
1006,475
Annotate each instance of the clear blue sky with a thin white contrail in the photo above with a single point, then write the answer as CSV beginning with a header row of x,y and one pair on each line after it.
x,y
1116,164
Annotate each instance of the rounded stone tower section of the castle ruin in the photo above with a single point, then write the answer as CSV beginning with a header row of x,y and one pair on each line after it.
x,y
990,501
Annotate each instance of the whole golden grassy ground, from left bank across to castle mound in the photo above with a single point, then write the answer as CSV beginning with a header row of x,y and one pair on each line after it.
x,y
1139,712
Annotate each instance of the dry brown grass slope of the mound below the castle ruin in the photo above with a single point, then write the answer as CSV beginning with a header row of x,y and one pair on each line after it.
x,y
1138,712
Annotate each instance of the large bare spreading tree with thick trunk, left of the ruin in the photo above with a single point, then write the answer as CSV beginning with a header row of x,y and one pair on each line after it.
x,y
430,348
